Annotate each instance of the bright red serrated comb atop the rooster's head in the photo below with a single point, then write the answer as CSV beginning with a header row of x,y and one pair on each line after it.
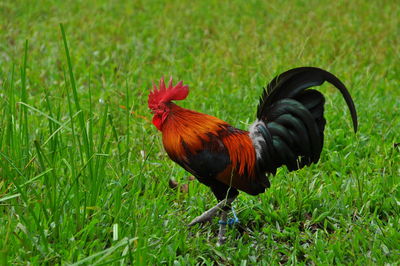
x,y
166,94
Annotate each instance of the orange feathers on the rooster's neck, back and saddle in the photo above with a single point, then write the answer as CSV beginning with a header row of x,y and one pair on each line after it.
x,y
185,131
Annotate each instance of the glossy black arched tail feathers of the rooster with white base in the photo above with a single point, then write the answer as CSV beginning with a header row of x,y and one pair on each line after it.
x,y
290,124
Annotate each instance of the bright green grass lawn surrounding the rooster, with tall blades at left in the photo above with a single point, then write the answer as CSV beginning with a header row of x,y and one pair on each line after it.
x,y
82,181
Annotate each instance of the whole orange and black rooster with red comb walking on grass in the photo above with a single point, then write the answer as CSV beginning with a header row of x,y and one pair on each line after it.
x,y
288,131
